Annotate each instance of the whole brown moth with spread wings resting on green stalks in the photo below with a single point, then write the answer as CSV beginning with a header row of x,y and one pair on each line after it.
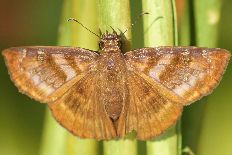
x,y
107,94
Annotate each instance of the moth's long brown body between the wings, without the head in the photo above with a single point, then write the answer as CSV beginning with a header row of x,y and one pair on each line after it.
x,y
113,82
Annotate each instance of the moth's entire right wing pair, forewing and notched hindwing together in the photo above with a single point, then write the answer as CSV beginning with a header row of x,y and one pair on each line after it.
x,y
161,80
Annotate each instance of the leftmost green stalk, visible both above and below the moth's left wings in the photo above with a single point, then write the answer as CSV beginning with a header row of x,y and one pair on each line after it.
x,y
54,137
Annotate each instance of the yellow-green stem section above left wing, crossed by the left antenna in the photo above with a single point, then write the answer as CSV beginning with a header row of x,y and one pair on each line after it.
x,y
86,13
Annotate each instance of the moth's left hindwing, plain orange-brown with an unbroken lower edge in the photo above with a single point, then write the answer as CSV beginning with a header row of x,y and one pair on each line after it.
x,y
80,111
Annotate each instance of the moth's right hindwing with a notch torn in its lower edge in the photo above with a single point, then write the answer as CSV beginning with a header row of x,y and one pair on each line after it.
x,y
148,112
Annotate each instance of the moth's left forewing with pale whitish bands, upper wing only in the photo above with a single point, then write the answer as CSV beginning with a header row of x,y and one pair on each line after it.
x,y
45,73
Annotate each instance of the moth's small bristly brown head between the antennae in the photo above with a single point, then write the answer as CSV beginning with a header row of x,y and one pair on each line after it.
x,y
110,40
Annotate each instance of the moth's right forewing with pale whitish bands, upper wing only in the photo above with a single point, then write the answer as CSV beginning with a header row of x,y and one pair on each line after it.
x,y
188,72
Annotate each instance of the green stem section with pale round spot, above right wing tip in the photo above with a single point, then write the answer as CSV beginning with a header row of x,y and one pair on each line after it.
x,y
207,17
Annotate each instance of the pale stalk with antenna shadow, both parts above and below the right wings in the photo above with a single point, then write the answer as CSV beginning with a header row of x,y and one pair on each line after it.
x,y
160,30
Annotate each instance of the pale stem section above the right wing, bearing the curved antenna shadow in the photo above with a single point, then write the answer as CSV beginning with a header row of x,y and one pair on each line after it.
x,y
158,25
